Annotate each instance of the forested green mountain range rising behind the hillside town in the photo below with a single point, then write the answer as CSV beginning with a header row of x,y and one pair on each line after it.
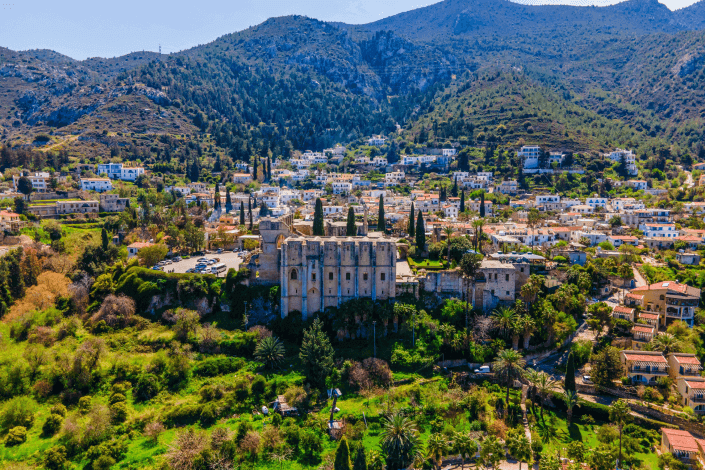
x,y
298,83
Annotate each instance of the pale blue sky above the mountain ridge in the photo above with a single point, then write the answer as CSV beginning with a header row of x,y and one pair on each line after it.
x,y
101,28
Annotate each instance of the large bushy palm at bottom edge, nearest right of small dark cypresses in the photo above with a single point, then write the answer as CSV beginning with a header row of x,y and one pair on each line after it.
x,y
399,441
